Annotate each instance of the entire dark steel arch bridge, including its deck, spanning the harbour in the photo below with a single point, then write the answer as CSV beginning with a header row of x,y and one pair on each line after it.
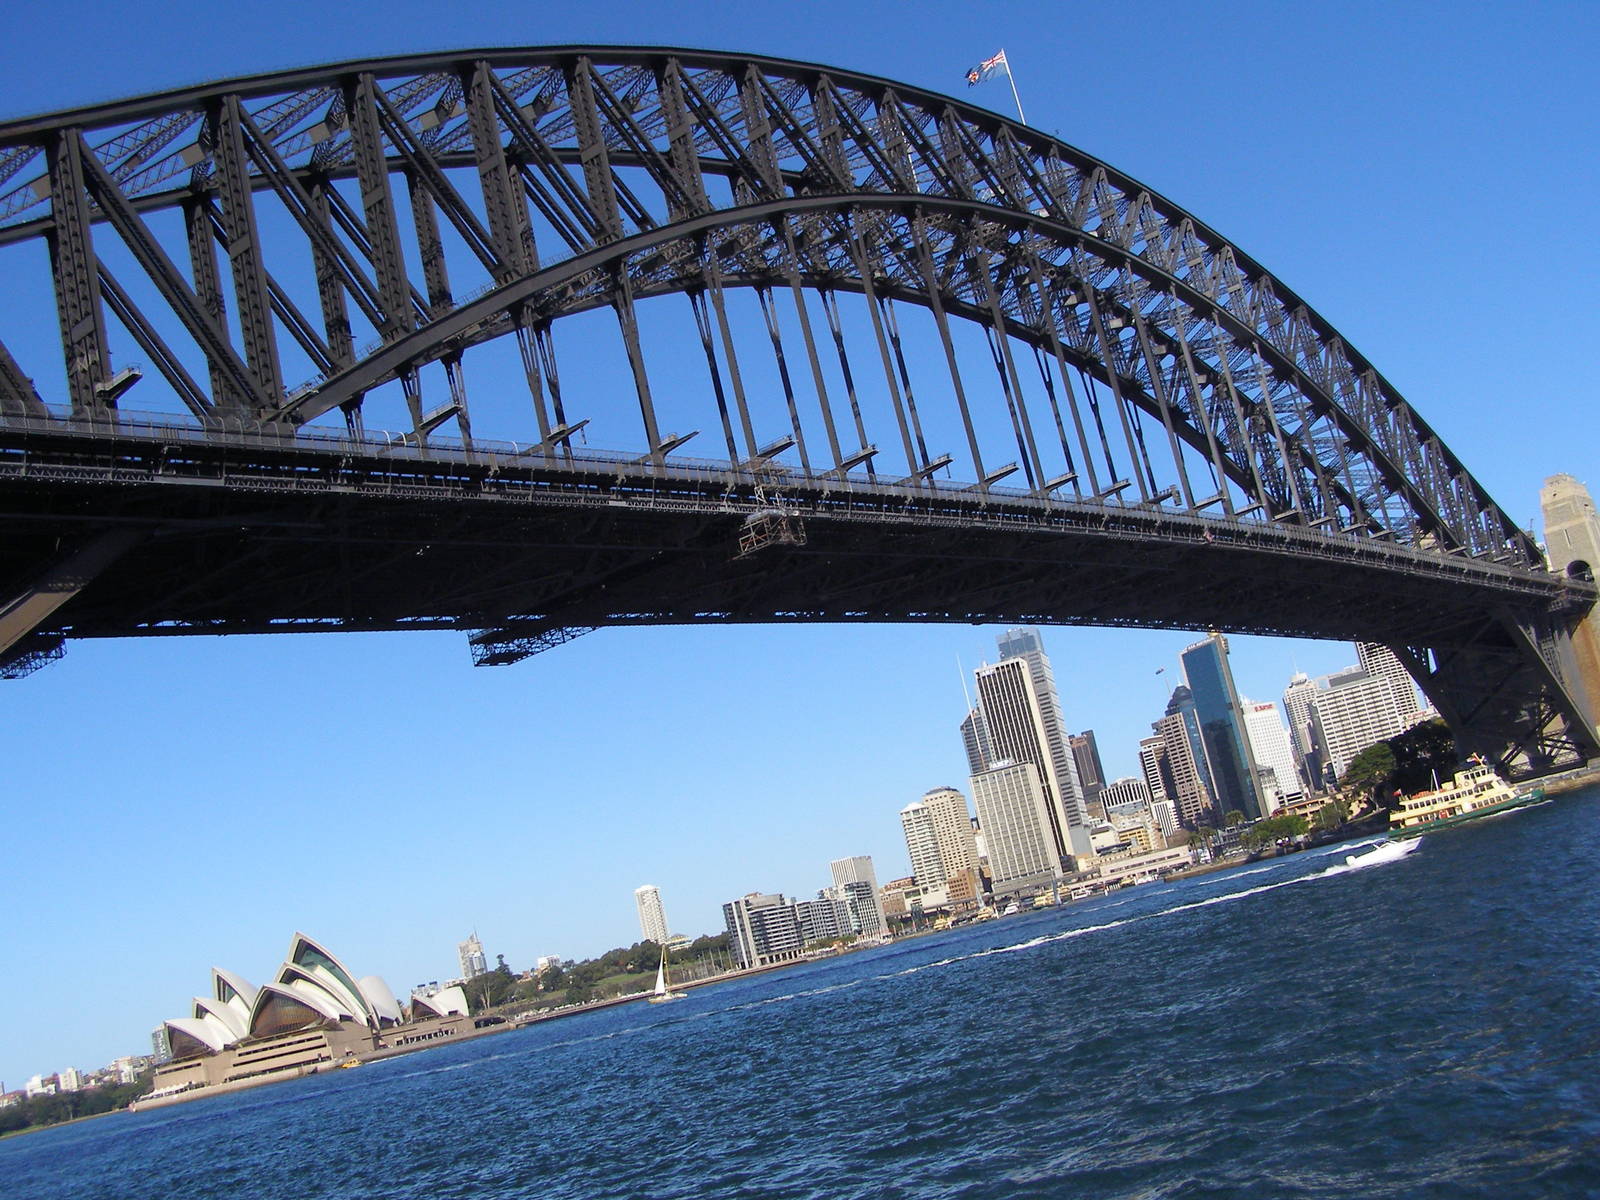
x,y
940,367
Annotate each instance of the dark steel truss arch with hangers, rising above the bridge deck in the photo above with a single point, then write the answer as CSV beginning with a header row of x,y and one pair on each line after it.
x,y
894,298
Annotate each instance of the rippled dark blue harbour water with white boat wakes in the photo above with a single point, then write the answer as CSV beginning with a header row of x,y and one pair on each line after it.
x,y
1297,1028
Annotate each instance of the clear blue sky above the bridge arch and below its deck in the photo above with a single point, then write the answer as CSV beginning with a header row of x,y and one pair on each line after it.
x,y
1423,175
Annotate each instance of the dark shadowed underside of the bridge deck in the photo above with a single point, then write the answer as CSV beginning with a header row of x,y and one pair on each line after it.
x,y
262,543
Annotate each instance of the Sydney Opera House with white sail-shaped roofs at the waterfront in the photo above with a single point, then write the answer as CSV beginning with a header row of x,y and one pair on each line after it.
x,y
313,1014
